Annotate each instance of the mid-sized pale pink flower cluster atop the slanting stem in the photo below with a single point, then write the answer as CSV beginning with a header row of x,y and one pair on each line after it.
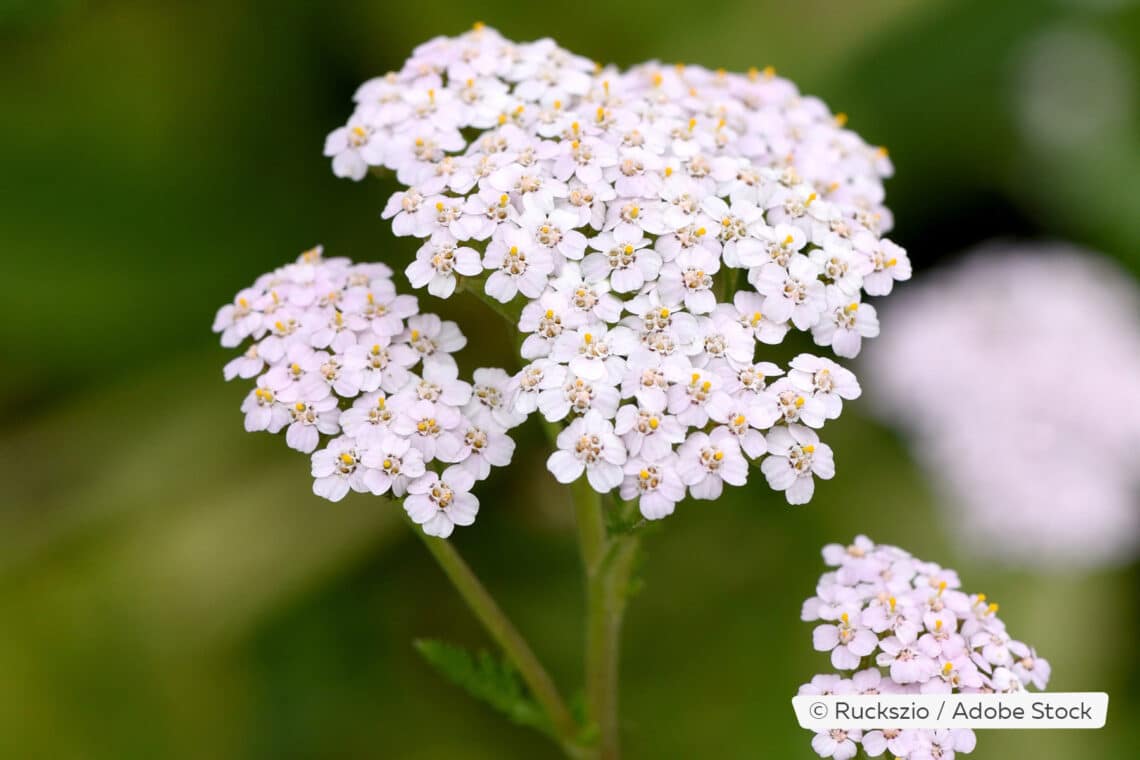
x,y
340,357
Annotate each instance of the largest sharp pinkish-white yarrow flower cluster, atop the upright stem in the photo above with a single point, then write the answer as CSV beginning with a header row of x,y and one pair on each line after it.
x,y
626,209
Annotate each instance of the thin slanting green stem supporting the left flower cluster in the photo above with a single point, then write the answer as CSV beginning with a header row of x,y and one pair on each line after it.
x,y
507,636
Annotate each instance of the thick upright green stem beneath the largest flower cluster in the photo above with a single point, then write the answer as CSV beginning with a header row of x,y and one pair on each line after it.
x,y
608,565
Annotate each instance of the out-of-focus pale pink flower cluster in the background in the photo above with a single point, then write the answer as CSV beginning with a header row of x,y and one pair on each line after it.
x,y
979,361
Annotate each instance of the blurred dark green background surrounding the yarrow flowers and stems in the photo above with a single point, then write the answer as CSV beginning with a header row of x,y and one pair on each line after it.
x,y
169,587
